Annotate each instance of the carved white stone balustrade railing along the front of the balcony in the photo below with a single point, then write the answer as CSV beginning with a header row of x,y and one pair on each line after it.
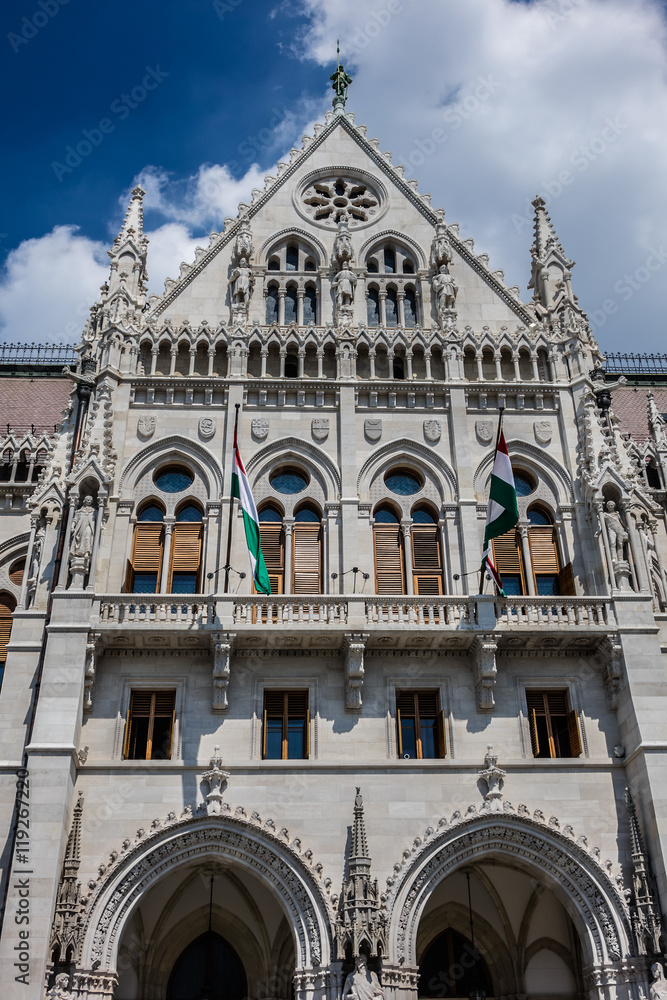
x,y
354,611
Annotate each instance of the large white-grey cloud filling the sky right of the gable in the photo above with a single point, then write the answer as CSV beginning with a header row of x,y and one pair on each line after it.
x,y
520,93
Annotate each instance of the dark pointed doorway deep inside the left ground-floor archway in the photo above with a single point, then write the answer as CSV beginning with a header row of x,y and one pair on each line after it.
x,y
208,967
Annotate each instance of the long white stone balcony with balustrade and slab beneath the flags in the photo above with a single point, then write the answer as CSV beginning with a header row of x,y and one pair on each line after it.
x,y
322,621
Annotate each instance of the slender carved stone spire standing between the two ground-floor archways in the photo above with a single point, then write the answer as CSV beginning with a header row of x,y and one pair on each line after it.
x,y
360,925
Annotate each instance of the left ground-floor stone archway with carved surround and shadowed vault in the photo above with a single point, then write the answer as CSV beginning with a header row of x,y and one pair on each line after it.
x,y
172,862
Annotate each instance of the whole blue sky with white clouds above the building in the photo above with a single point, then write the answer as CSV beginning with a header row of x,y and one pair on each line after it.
x,y
485,102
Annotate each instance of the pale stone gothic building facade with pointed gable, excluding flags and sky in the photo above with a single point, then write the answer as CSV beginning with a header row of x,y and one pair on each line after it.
x,y
374,781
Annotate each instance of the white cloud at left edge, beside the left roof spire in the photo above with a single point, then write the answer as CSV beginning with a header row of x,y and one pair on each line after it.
x,y
48,285
